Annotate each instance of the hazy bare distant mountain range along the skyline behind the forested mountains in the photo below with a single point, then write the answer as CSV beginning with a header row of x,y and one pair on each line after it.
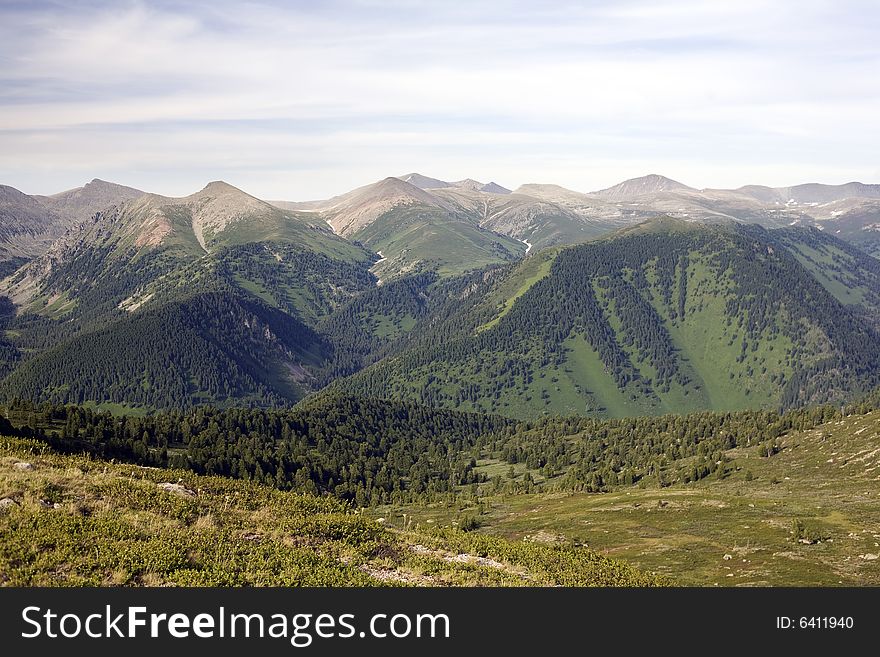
x,y
473,223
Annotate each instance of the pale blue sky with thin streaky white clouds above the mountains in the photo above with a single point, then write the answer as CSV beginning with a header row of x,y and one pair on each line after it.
x,y
304,100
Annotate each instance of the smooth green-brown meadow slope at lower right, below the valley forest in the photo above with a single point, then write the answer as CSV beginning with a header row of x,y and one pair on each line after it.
x,y
827,478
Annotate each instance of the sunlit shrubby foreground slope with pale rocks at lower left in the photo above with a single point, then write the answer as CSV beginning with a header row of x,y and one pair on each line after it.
x,y
78,521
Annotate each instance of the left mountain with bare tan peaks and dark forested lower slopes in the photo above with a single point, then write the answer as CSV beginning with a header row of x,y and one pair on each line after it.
x,y
170,303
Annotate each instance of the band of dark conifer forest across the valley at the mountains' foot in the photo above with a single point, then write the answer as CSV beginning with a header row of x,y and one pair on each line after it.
x,y
376,452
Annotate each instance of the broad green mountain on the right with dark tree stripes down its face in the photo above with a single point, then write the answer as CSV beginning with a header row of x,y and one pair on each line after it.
x,y
669,316
